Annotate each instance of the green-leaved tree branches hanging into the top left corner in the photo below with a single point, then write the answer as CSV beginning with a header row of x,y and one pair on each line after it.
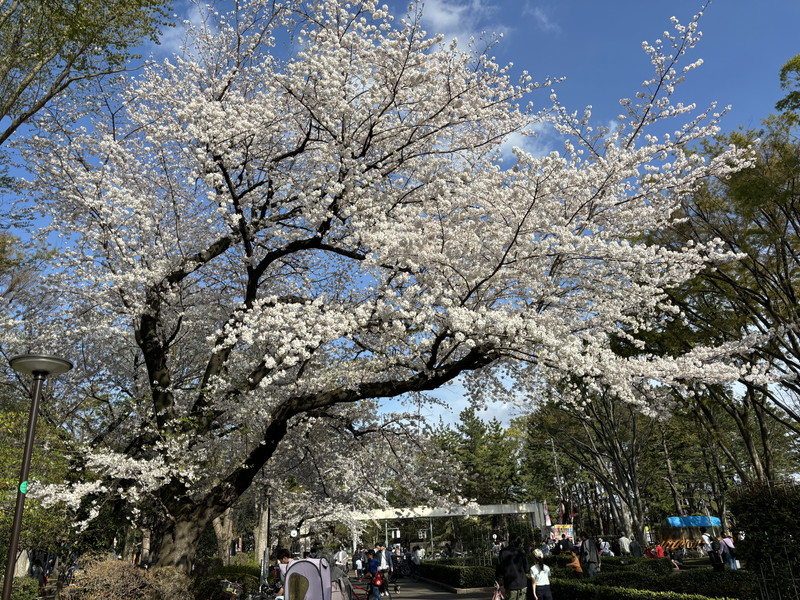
x,y
47,46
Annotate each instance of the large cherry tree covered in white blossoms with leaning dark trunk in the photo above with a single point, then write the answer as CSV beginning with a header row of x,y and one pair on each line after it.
x,y
308,211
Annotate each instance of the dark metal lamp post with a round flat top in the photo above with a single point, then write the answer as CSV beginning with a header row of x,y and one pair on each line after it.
x,y
40,367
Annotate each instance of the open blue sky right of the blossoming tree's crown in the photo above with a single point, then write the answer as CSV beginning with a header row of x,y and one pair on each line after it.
x,y
596,45
